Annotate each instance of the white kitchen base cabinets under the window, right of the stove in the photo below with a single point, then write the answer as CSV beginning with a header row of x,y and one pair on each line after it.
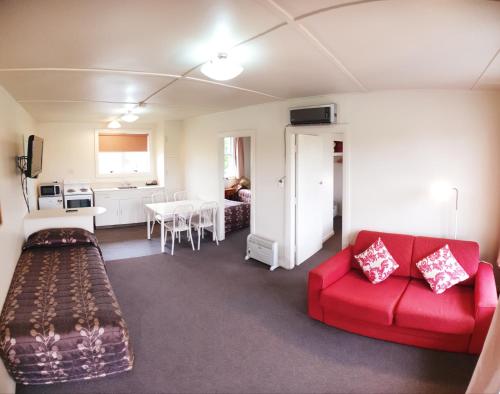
x,y
123,206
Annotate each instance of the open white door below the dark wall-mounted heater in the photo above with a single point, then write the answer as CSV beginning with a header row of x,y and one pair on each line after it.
x,y
309,199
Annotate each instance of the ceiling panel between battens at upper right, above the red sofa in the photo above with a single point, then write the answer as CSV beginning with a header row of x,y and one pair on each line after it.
x,y
424,44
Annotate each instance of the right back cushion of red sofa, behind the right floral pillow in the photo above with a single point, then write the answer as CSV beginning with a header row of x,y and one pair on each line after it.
x,y
466,253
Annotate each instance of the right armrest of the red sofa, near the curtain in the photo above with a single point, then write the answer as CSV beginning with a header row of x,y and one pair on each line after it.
x,y
485,302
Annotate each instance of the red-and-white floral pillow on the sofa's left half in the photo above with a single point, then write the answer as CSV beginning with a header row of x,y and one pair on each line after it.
x,y
376,262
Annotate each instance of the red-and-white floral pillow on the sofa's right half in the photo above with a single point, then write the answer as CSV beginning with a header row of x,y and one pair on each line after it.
x,y
441,270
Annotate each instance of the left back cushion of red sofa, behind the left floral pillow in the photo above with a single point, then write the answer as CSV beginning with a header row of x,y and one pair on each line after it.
x,y
399,246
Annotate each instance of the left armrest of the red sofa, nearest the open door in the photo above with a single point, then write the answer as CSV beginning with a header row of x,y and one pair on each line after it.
x,y
323,276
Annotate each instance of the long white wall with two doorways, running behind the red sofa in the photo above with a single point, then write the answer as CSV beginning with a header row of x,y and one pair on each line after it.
x,y
400,143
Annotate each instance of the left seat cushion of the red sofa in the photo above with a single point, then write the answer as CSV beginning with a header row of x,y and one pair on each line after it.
x,y
355,297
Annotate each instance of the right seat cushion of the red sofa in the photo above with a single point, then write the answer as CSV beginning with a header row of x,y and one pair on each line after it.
x,y
451,312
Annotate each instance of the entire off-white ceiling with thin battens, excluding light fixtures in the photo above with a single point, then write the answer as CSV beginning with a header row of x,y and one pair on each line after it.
x,y
74,60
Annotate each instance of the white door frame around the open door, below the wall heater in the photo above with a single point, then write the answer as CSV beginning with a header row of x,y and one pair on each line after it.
x,y
290,188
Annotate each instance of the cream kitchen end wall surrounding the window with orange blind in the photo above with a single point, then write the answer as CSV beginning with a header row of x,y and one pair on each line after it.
x,y
69,152
